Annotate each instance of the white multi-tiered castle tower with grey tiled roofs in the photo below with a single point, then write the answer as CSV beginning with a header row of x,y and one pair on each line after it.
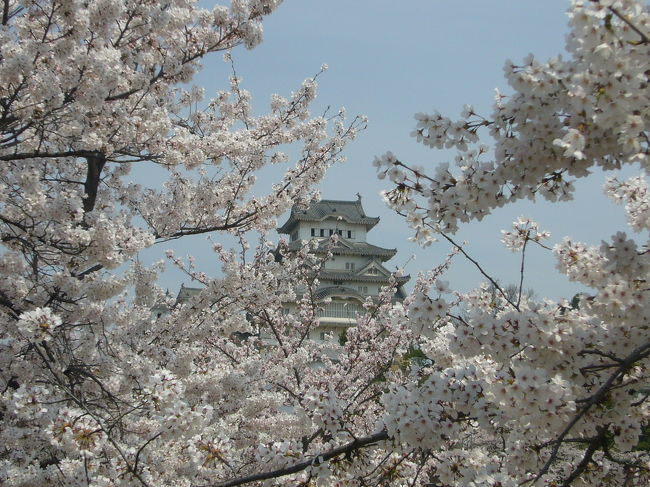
x,y
356,269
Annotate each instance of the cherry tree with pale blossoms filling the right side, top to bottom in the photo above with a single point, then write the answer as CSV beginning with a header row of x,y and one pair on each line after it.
x,y
525,392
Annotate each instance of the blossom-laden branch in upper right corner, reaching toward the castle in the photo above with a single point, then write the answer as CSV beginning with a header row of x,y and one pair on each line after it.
x,y
564,116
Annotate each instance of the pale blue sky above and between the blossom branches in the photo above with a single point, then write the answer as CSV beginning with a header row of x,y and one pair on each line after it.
x,y
389,60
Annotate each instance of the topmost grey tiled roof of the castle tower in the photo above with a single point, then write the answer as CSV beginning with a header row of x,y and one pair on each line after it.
x,y
349,211
